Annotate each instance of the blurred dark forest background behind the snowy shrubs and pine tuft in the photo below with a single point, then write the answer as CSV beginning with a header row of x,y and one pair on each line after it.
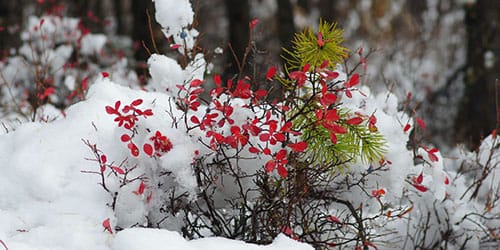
x,y
444,52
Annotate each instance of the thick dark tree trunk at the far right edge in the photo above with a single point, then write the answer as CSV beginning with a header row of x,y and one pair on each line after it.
x,y
477,115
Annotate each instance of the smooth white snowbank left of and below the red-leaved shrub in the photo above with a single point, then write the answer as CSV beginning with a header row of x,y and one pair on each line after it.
x,y
49,203
